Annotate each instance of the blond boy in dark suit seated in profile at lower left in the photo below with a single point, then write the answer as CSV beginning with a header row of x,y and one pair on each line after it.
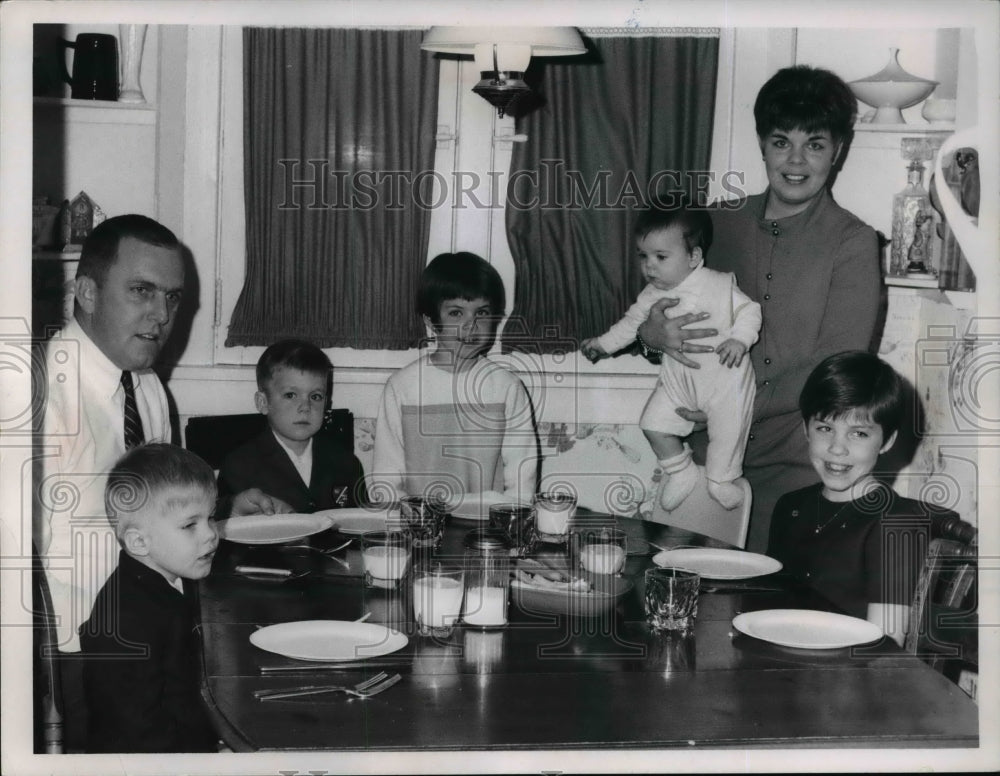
x,y
140,643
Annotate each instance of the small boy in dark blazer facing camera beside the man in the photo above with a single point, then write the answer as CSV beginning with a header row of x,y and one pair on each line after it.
x,y
293,459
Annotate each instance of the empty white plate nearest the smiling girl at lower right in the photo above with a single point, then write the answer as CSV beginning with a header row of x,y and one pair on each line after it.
x,y
806,628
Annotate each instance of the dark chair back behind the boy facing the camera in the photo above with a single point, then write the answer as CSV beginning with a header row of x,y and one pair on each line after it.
x,y
213,437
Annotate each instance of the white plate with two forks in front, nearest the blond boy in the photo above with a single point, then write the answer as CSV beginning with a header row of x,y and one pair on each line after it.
x,y
328,640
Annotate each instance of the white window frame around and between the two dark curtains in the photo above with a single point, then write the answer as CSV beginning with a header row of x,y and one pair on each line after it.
x,y
472,140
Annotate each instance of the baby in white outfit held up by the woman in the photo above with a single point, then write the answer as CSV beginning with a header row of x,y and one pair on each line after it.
x,y
671,245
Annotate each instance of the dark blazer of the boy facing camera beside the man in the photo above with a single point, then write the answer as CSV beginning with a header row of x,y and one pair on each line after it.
x,y
337,475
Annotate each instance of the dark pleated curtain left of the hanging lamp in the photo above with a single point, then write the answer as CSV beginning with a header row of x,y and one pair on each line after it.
x,y
339,143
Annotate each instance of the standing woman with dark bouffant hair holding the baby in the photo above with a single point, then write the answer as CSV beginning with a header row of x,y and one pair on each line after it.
x,y
811,265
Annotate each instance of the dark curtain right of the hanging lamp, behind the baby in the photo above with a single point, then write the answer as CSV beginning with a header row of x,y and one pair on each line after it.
x,y
632,116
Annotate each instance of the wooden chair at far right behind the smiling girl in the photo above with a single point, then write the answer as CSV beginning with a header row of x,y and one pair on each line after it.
x,y
943,616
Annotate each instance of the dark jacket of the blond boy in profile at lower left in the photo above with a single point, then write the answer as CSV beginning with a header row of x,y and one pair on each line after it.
x,y
141,671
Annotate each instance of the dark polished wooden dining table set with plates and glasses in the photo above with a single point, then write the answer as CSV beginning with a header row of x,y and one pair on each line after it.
x,y
551,680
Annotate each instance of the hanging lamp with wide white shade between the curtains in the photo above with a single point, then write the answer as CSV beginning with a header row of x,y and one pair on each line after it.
x,y
502,55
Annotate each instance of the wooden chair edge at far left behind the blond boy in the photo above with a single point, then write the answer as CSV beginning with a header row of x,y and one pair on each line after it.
x,y
49,729
